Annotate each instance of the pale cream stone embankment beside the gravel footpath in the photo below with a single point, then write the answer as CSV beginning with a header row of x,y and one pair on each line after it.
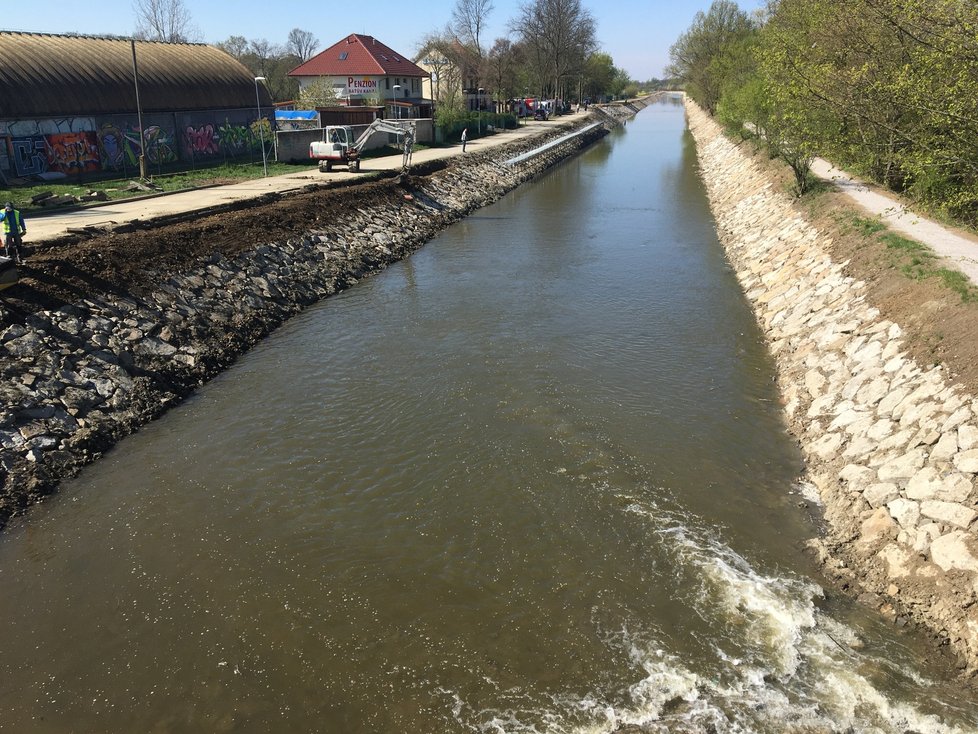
x,y
891,445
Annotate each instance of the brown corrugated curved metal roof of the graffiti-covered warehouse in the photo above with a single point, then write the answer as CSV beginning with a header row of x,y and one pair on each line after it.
x,y
44,75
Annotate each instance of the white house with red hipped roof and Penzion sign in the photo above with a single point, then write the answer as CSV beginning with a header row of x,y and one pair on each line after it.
x,y
360,71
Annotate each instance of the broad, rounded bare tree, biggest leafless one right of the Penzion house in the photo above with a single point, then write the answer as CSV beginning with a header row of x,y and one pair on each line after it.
x,y
559,35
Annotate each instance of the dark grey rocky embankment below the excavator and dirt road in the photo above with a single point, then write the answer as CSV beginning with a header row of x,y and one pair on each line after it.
x,y
77,379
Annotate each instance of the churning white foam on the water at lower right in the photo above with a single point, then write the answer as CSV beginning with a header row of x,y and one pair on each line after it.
x,y
794,669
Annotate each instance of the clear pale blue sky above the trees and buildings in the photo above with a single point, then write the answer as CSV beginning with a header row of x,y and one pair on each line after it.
x,y
637,33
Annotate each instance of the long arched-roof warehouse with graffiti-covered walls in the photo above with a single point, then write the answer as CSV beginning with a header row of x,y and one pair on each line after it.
x,y
70,106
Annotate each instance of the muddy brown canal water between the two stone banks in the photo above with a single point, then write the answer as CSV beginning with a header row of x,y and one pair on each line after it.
x,y
532,479
